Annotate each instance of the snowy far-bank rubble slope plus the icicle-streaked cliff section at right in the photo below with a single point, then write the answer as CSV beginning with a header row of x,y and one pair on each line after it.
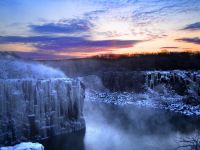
x,y
158,94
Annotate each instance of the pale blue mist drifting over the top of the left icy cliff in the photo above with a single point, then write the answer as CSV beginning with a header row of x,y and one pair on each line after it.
x,y
12,68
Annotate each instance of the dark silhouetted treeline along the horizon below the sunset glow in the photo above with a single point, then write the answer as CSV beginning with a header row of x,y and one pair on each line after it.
x,y
97,65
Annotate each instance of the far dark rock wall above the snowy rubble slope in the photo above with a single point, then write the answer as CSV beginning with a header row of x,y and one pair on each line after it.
x,y
182,82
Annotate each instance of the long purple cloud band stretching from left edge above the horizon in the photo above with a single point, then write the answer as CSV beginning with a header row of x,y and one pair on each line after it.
x,y
67,43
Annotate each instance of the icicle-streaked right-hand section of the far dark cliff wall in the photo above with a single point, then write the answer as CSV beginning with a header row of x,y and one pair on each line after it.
x,y
182,82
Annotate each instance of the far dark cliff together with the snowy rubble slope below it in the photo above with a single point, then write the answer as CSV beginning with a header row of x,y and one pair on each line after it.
x,y
175,90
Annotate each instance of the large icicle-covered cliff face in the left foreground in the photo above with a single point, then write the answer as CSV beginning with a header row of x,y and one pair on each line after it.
x,y
39,108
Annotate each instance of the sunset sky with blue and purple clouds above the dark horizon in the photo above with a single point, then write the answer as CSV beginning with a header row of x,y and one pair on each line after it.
x,y
56,29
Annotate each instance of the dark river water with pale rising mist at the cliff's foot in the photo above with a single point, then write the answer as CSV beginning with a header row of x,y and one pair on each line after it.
x,y
126,127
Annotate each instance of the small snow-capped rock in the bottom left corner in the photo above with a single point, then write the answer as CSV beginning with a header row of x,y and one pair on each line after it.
x,y
25,146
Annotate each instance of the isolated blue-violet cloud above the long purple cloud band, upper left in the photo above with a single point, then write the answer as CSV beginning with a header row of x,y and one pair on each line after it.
x,y
63,26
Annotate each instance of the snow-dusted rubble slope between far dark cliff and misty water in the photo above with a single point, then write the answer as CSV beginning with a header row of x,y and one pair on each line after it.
x,y
150,99
